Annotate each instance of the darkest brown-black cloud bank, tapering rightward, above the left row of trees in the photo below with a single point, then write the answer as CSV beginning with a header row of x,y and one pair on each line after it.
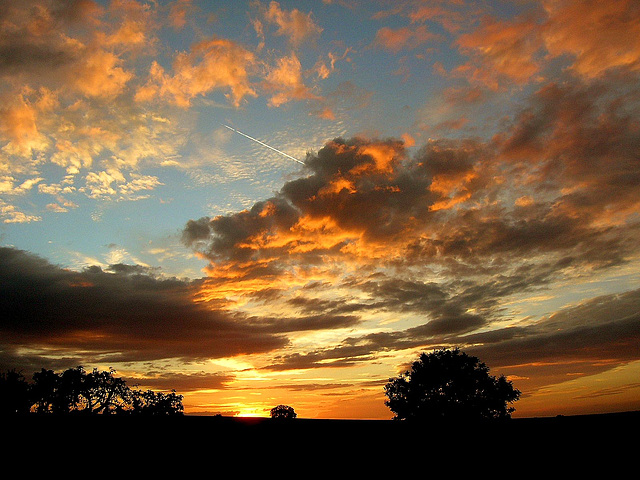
x,y
120,315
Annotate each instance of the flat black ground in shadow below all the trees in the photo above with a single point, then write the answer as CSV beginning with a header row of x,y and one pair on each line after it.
x,y
571,443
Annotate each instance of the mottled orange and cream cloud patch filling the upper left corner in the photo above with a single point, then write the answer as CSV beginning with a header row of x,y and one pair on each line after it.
x,y
68,71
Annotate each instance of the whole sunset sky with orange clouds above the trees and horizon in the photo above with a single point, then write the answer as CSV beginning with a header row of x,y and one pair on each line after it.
x,y
285,202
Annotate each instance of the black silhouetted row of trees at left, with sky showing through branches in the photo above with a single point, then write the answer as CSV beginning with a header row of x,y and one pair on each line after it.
x,y
75,391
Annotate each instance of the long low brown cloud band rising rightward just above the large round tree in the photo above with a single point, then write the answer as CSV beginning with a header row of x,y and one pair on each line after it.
x,y
584,339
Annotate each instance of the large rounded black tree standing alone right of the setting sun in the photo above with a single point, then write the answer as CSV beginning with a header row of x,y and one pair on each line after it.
x,y
449,385
